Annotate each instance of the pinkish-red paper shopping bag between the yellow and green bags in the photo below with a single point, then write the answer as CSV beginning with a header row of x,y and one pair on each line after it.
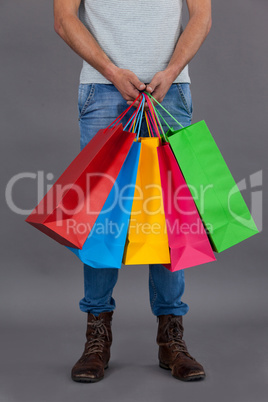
x,y
188,241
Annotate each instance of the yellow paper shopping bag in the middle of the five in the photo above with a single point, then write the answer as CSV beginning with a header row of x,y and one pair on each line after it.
x,y
147,240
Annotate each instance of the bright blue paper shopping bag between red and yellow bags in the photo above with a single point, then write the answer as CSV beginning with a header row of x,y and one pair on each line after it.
x,y
104,246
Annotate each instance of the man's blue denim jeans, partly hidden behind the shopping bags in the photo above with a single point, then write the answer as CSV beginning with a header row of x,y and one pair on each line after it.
x,y
98,106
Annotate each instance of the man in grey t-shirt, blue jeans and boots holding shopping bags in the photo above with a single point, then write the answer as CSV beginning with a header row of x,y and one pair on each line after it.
x,y
128,46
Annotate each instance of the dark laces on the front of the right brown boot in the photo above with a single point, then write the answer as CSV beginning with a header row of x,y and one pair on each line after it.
x,y
175,330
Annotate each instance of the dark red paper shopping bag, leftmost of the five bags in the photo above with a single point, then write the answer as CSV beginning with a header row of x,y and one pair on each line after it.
x,y
70,208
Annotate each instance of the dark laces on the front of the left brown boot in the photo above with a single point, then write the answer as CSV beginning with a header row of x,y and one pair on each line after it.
x,y
99,334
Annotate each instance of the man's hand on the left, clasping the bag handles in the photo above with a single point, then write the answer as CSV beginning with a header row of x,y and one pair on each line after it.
x,y
127,84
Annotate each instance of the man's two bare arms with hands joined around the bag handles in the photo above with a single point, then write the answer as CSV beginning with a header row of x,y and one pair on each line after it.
x,y
76,35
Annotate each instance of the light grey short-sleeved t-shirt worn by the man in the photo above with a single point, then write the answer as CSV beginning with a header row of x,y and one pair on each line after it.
x,y
139,35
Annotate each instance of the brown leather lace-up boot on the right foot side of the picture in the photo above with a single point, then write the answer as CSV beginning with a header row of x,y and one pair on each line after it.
x,y
173,354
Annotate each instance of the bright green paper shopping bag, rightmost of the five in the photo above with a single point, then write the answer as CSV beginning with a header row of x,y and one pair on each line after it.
x,y
217,197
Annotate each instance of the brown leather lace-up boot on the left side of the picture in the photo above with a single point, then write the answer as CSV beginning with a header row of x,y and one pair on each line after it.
x,y
90,367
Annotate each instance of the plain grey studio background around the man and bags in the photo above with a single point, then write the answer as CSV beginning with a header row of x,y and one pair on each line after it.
x,y
42,328
